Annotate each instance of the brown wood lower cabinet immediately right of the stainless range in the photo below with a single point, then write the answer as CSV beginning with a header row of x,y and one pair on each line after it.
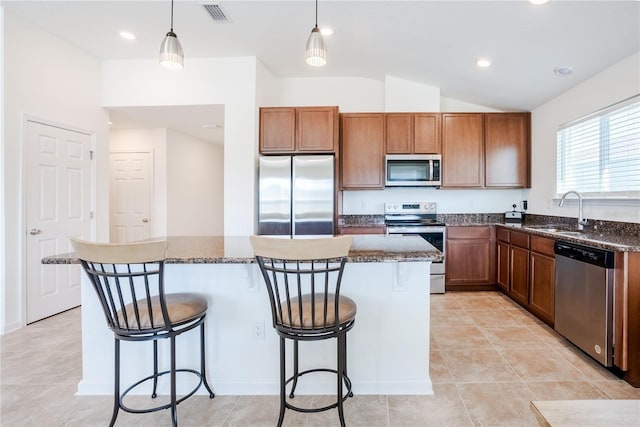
x,y
470,258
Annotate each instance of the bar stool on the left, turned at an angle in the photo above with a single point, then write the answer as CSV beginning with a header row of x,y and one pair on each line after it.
x,y
129,281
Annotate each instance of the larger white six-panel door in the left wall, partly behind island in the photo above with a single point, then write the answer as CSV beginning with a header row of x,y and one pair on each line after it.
x,y
58,206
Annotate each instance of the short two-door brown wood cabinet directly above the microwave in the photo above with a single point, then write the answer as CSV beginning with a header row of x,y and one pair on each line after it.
x,y
412,133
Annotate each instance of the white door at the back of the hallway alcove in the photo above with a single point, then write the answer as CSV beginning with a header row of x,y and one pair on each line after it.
x,y
130,196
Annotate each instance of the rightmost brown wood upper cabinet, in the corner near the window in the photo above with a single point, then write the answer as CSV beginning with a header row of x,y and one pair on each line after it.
x,y
507,147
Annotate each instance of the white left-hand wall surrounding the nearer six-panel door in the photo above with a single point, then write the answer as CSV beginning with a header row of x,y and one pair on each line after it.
x,y
49,79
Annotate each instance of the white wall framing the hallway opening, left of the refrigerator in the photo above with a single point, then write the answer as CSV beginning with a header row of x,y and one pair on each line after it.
x,y
227,81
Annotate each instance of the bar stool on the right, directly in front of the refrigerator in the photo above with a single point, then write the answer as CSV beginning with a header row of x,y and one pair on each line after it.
x,y
303,278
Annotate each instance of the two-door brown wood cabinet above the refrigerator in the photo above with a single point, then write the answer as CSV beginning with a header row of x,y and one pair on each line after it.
x,y
298,129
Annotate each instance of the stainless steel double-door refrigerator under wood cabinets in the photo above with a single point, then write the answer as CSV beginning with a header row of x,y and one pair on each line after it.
x,y
296,195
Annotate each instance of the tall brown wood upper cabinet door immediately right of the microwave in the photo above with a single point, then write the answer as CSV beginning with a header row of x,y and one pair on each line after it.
x,y
462,150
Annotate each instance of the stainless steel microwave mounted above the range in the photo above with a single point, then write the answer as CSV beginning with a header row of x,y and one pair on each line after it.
x,y
413,170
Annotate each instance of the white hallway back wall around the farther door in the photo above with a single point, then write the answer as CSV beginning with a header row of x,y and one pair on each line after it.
x,y
154,141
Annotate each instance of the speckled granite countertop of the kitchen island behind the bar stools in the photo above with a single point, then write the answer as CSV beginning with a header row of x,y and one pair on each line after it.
x,y
237,250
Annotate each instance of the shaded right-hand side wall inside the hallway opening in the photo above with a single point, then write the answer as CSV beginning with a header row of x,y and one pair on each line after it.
x,y
195,186
